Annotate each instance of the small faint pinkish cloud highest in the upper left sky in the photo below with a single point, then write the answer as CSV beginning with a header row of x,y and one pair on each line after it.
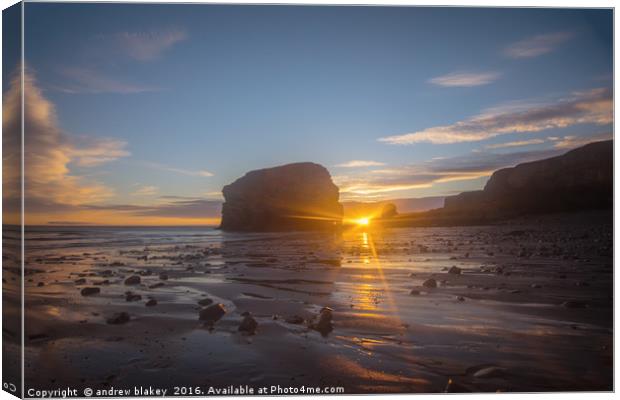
x,y
145,45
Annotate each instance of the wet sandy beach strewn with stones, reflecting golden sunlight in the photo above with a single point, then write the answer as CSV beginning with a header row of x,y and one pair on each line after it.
x,y
531,309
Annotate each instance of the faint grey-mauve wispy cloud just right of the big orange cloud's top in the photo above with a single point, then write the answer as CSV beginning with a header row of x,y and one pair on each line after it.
x,y
84,80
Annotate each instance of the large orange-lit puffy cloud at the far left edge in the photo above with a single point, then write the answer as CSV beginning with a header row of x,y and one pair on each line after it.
x,y
49,151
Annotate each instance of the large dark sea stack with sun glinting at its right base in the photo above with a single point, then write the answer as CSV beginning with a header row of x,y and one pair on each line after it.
x,y
290,197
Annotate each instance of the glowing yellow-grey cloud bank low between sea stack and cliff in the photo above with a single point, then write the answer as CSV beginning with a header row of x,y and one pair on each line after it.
x,y
379,183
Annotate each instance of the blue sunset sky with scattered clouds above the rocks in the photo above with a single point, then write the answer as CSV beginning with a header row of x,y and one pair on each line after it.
x,y
141,113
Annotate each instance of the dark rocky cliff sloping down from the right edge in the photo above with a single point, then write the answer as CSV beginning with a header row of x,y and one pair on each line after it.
x,y
581,179
